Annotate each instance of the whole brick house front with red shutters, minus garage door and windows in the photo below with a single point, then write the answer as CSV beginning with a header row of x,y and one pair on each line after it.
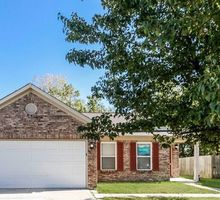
x,y
54,121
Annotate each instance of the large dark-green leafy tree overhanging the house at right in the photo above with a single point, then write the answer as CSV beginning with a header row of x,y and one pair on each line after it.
x,y
162,64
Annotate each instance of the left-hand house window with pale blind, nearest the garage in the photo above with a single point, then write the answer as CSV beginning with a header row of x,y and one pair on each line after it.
x,y
108,156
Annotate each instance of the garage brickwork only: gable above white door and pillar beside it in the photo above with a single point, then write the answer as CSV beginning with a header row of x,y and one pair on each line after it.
x,y
48,123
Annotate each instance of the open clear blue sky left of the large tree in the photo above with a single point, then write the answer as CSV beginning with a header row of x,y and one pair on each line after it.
x,y
32,43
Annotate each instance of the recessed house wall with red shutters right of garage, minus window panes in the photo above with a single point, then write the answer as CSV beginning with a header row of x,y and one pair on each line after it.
x,y
163,167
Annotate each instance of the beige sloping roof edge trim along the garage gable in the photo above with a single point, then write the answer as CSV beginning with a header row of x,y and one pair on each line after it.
x,y
48,98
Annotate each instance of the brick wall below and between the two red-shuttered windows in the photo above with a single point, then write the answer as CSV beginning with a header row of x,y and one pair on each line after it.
x,y
128,175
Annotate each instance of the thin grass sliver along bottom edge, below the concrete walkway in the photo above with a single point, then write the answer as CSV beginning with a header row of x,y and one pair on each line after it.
x,y
162,199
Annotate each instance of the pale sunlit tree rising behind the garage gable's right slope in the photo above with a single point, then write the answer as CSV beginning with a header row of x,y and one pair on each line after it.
x,y
57,86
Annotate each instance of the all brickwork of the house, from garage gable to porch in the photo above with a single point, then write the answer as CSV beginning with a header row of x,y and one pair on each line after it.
x,y
52,123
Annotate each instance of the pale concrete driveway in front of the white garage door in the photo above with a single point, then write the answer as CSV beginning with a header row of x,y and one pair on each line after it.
x,y
41,194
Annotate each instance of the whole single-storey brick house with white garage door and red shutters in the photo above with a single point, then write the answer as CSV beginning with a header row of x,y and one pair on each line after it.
x,y
40,147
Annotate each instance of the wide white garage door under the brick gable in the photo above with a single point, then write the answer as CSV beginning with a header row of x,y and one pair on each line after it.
x,y
42,164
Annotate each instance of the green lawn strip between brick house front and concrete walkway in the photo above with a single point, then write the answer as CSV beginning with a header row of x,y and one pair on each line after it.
x,y
154,187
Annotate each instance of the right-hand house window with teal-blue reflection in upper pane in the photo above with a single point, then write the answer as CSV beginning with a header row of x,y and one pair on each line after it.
x,y
144,154
